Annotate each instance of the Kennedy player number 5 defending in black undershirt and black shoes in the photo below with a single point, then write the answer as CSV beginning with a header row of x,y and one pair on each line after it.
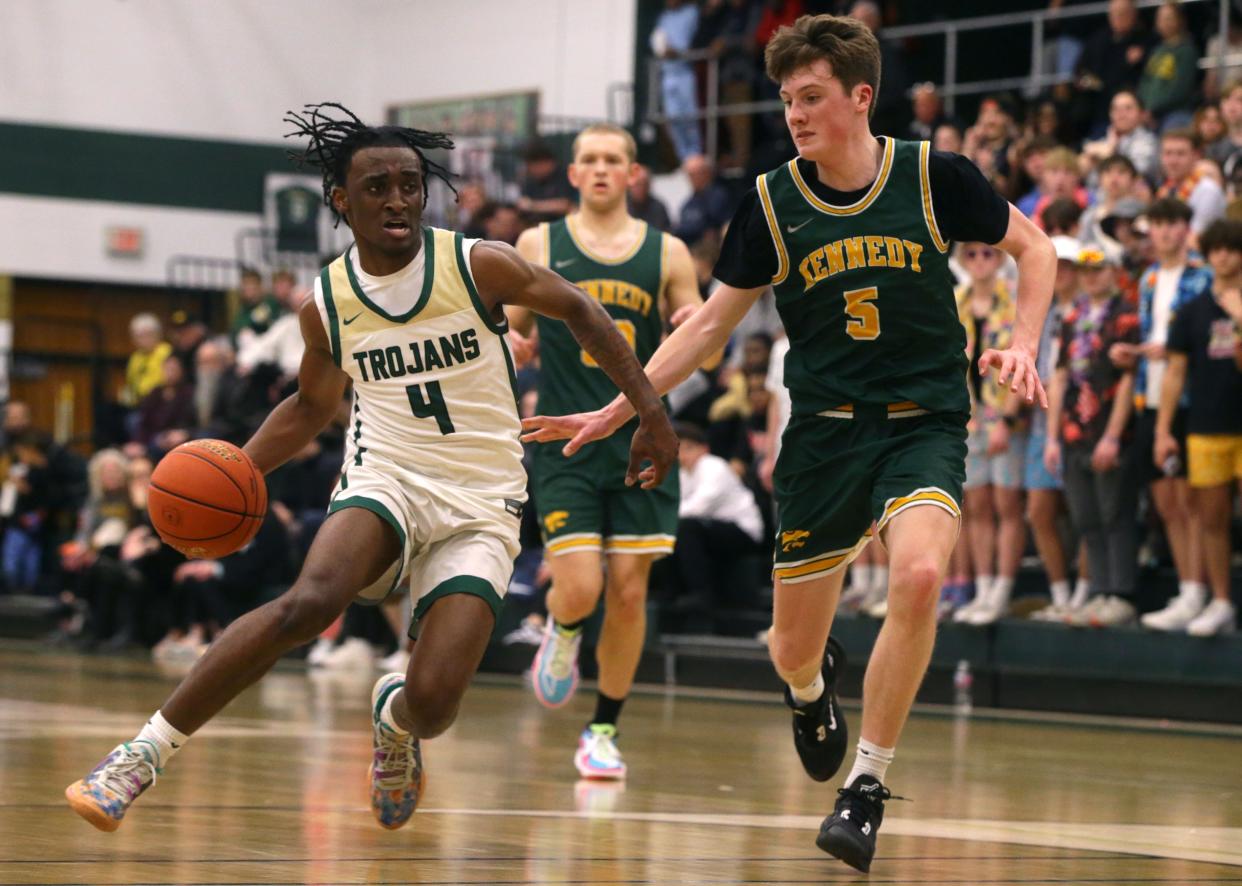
x,y
854,235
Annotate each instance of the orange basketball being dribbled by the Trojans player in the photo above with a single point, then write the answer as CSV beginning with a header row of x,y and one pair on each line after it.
x,y
207,499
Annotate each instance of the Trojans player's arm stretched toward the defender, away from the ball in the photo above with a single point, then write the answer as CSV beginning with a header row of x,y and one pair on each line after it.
x,y
505,278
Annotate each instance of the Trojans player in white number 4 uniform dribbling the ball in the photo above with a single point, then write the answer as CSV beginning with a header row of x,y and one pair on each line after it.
x,y
433,486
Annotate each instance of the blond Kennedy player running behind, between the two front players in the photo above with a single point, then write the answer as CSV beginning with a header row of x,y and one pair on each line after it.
x,y
643,278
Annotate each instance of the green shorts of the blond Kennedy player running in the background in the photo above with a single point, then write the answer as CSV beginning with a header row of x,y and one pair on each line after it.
x,y
584,504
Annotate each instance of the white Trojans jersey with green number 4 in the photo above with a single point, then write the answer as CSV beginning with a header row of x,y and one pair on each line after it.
x,y
434,381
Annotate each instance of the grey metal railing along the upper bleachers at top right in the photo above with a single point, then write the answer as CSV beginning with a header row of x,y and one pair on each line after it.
x,y
950,88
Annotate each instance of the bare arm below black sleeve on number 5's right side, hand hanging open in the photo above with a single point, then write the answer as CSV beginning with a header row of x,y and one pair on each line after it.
x,y
1036,272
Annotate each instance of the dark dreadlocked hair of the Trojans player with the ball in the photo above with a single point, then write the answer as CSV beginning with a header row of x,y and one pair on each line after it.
x,y
333,144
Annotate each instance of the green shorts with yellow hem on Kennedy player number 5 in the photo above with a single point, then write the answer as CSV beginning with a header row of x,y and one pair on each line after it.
x,y
836,477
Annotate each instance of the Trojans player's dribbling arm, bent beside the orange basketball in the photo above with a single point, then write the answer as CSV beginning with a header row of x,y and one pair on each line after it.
x,y
296,422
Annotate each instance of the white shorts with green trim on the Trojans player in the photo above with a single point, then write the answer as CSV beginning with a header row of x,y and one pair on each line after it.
x,y
454,541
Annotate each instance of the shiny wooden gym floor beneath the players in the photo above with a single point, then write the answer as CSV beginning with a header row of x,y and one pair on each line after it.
x,y
274,792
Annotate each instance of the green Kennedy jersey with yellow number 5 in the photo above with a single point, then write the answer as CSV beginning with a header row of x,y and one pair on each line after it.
x,y
866,294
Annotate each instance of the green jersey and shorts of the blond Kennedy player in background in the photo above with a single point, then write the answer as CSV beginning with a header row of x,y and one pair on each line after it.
x,y
584,504
